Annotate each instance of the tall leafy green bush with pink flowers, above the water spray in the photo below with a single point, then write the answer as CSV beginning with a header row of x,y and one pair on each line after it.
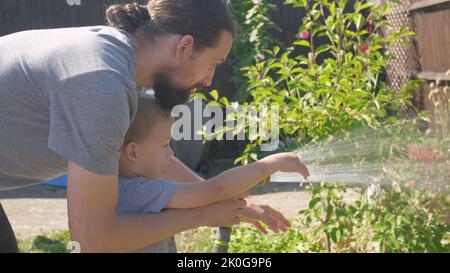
x,y
336,86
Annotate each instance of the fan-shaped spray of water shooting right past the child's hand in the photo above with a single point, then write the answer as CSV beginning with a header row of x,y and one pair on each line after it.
x,y
366,156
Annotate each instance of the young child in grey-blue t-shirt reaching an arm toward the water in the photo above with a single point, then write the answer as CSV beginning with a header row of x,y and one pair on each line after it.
x,y
146,154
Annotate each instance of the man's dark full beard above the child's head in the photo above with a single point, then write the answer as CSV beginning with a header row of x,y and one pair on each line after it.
x,y
170,95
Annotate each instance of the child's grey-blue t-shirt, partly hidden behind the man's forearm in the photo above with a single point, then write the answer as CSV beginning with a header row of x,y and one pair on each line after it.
x,y
141,196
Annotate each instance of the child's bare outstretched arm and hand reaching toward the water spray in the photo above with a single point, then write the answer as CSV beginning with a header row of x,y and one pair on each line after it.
x,y
234,181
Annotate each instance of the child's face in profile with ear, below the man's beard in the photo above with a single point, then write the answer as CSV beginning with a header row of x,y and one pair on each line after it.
x,y
151,156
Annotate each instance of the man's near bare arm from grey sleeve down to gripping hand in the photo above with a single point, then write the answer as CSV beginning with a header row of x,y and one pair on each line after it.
x,y
96,226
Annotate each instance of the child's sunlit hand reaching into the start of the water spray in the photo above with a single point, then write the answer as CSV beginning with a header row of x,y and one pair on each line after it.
x,y
287,162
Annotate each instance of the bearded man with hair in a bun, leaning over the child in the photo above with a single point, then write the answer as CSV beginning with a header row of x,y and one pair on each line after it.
x,y
68,96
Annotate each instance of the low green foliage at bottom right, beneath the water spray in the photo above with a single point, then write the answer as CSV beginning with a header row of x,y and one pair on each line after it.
x,y
410,220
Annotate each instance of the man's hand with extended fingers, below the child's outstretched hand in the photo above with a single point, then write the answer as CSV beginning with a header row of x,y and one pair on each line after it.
x,y
255,214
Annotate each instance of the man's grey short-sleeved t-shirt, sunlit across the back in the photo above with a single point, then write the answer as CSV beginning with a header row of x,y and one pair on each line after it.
x,y
65,94
